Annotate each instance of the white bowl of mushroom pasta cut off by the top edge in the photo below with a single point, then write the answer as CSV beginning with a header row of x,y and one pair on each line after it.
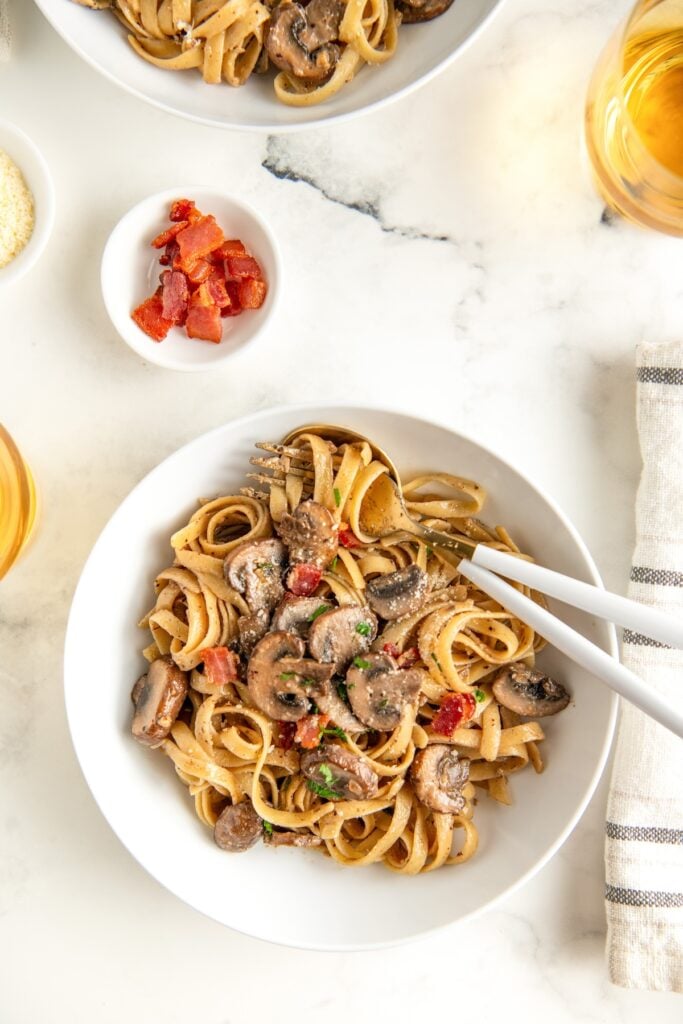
x,y
269,66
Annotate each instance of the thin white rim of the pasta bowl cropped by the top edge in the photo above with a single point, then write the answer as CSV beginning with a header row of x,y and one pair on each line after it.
x,y
276,126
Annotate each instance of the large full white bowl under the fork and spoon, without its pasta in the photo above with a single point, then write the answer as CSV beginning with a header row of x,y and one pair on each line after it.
x,y
149,807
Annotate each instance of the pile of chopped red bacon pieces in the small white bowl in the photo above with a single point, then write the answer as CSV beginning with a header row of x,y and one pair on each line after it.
x,y
210,278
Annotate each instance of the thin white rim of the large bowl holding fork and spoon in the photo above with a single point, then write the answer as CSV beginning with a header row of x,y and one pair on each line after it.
x,y
301,409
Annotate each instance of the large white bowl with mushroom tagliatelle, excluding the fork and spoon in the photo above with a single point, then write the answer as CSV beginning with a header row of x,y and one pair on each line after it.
x,y
285,701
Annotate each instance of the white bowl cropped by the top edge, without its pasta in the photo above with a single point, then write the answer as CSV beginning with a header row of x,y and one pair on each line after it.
x,y
423,52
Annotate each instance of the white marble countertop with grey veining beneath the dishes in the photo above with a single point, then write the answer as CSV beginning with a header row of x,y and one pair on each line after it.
x,y
453,240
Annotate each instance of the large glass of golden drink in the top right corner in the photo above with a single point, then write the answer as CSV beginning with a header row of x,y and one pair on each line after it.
x,y
634,117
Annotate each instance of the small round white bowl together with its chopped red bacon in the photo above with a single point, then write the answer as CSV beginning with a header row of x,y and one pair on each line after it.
x,y
189,277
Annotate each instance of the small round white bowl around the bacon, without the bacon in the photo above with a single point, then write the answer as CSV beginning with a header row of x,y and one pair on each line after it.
x,y
131,272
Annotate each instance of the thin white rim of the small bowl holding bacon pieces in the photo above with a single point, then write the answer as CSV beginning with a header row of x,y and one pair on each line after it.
x,y
157,354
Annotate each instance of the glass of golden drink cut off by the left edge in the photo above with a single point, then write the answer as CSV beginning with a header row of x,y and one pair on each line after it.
x,y
18,503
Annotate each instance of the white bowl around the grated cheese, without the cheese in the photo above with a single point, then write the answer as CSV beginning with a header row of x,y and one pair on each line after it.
x,y
37,176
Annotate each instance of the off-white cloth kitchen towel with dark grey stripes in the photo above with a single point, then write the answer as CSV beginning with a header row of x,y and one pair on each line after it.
x,y
645,829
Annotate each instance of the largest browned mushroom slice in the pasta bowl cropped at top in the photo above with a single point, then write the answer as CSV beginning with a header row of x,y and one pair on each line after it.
x,y
301,40
